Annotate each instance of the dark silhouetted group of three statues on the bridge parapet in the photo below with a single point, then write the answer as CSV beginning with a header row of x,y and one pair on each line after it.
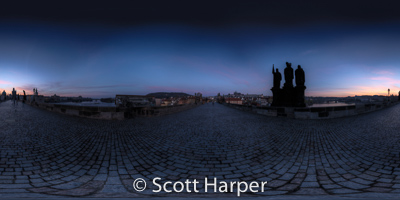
x,y
288,95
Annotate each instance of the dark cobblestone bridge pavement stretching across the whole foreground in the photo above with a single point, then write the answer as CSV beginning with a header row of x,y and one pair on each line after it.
x,y
46,154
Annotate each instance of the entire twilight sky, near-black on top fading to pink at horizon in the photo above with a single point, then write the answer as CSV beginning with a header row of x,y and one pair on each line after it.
x,y
101,50
